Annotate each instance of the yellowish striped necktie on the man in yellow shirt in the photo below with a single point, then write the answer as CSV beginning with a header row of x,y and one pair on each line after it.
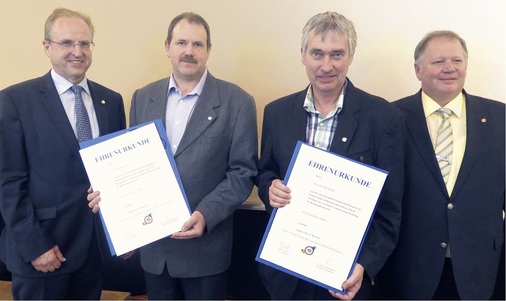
x,y
444,143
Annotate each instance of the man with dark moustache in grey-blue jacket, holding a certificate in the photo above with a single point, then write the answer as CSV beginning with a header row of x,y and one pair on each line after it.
x,y
211,126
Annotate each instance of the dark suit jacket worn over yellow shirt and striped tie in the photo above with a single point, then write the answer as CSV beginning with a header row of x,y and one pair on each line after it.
x,y
473,225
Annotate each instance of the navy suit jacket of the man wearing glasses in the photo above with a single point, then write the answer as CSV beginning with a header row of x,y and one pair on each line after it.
x,y
43,182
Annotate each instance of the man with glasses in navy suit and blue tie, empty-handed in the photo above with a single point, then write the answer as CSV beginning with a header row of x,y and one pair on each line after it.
x,y
49,242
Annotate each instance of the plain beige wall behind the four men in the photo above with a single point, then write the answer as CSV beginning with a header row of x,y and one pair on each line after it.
x,y
256,43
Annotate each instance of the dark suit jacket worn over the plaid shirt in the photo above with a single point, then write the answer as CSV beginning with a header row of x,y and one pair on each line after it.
x,y
374,130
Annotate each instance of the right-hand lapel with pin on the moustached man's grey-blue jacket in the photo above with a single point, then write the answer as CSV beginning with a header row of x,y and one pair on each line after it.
x,y
203,114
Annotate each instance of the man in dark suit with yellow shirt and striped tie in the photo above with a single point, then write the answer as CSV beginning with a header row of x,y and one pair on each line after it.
x,y
452,226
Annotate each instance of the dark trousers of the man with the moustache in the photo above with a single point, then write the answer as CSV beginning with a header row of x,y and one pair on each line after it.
x,y
165,287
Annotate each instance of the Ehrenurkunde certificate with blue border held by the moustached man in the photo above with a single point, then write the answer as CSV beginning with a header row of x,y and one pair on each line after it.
x,y
142,198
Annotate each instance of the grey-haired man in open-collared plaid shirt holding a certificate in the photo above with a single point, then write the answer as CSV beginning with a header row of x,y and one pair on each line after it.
x,y
334,115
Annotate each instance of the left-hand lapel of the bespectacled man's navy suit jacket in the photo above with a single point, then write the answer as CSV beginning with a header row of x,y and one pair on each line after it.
x,y
52,102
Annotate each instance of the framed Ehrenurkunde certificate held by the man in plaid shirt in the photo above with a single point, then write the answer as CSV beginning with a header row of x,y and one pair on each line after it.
x,y
318,236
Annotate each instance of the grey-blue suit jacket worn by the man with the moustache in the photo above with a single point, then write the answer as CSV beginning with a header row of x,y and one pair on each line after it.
x,y
216,160
